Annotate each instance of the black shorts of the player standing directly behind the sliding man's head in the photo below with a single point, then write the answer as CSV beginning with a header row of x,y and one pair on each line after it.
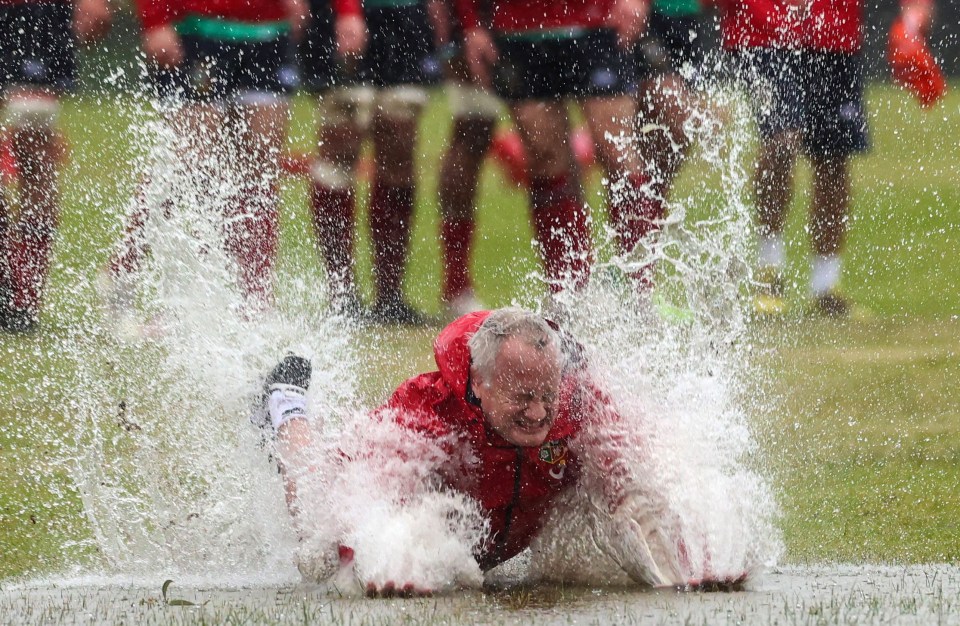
x,y
586,65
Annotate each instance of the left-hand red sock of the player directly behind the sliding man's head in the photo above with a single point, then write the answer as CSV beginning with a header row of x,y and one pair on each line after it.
x,y
561,222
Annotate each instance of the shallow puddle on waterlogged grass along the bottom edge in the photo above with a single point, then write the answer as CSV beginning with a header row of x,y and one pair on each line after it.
x,y
846,594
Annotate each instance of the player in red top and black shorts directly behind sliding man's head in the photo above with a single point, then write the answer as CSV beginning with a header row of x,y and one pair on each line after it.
x,y
537,56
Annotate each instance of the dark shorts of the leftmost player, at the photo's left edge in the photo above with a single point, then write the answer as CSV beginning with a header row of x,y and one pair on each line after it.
x,y
37,45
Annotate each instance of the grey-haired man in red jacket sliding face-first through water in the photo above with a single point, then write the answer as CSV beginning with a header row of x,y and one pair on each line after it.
x,y
520,421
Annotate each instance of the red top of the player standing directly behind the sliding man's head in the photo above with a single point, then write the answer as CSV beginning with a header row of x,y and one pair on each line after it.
x,y
510,16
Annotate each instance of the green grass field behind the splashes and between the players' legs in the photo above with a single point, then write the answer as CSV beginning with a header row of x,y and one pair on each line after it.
x,y
866,437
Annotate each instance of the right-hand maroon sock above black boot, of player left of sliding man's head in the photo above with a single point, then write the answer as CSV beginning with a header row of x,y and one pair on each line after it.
x,y
391,210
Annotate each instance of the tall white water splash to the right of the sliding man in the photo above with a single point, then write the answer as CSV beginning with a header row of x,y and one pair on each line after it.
x,y
678,382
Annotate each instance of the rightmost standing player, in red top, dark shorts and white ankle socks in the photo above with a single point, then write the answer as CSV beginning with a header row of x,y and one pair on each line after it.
x,y
802,64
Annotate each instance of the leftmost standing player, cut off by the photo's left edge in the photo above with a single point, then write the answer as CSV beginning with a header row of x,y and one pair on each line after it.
x,y
38,40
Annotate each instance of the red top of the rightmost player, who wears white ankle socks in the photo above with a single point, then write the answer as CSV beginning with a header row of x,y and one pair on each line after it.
x,y
829,25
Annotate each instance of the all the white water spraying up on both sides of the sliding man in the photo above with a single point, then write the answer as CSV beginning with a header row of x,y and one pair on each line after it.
x,y
172,478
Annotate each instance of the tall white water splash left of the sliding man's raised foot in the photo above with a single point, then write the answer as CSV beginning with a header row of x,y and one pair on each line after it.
x,y
170,473
